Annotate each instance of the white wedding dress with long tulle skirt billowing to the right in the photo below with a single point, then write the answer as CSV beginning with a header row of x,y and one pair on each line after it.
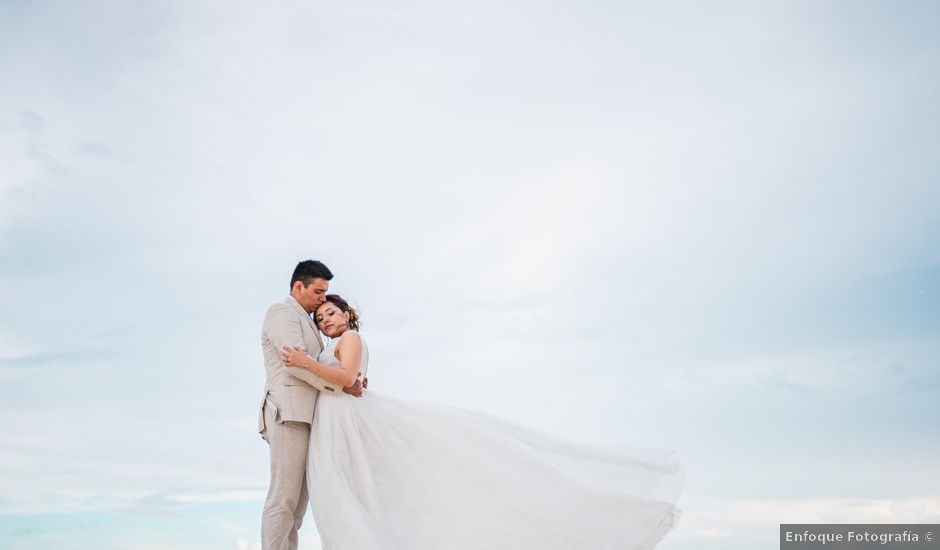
x,y
388,474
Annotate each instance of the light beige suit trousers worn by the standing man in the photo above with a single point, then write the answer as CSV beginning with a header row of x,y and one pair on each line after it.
x,y
287,499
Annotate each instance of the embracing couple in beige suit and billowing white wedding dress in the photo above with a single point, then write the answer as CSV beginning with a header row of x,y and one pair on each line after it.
x,y
390,474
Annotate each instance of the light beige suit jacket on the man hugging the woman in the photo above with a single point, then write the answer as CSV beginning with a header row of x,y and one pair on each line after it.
x,y
292,391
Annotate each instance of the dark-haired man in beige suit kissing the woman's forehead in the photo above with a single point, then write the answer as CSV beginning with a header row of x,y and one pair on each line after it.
x,y
290,395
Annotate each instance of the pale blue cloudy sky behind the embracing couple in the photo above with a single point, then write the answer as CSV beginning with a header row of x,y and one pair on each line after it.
x,y
704,227
